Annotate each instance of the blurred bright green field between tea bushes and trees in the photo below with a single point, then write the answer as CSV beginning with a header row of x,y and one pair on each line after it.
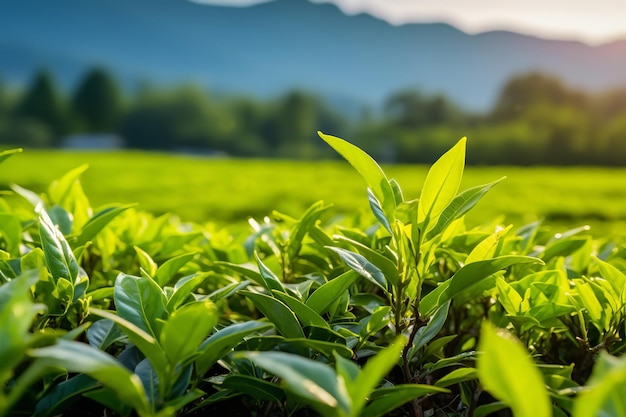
x,y
228,191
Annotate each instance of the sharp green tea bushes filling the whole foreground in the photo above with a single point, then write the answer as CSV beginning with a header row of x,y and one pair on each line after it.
x,y
115,311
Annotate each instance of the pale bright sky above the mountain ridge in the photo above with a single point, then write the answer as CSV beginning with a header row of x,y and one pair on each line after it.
x,y
590,21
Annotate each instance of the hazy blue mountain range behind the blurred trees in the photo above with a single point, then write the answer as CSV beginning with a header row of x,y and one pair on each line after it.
x,y
269,48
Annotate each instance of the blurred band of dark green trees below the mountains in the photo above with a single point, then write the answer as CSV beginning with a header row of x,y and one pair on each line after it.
x,y
536,120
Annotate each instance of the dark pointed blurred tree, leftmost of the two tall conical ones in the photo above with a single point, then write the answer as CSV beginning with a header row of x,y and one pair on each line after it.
x,y
42,103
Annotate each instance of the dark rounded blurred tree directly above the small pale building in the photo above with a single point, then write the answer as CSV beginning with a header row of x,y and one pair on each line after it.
x,y
97,102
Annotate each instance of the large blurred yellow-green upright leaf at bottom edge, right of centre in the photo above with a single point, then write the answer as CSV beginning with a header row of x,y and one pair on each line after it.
x,y
509,374
